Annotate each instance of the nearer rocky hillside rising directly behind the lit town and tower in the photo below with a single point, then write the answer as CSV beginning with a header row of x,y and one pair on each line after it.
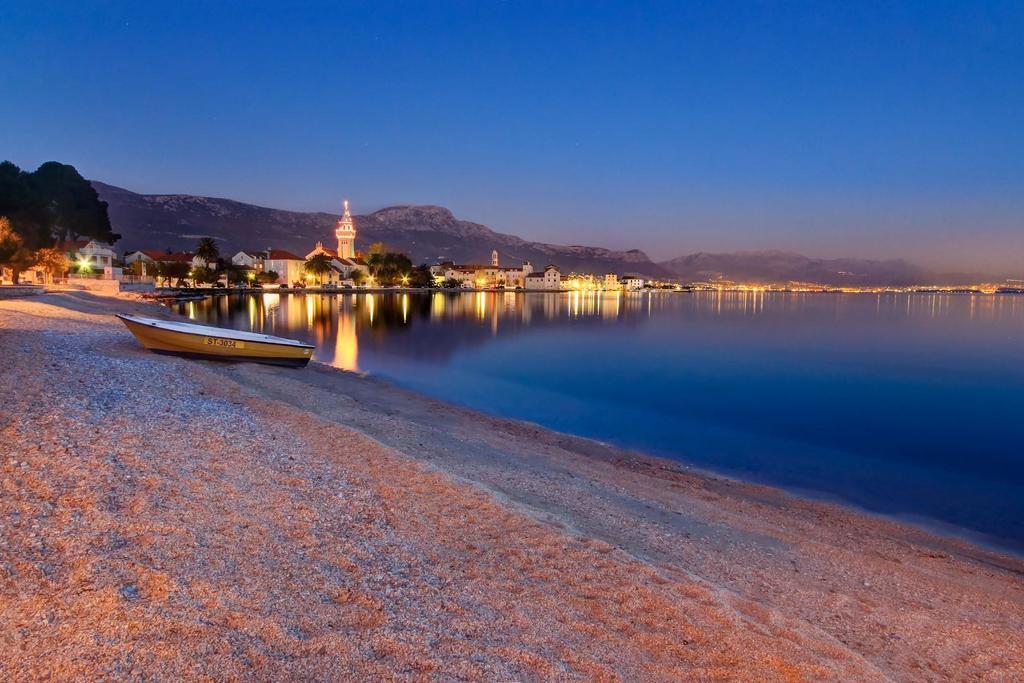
x,y
429,234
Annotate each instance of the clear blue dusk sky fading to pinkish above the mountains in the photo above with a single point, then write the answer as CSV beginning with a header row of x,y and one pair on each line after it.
x,y
873,130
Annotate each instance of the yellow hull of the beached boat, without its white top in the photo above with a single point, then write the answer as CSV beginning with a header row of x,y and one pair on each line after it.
x,y
215,348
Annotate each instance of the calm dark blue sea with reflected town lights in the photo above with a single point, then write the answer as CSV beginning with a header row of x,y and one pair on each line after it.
x,y
911,406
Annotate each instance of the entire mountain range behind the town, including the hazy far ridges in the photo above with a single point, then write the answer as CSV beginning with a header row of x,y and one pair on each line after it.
x,y
433,234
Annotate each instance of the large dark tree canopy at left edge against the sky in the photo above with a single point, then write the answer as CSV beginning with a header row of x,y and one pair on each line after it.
x,y
55,202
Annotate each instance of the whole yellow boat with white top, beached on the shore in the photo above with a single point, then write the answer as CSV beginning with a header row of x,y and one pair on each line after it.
x,y
200,341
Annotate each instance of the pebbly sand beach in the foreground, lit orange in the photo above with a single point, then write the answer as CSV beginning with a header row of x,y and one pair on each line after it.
x,y
166,519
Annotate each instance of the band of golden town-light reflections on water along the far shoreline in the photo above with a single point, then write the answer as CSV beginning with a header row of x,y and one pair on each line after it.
x,y
334,321
